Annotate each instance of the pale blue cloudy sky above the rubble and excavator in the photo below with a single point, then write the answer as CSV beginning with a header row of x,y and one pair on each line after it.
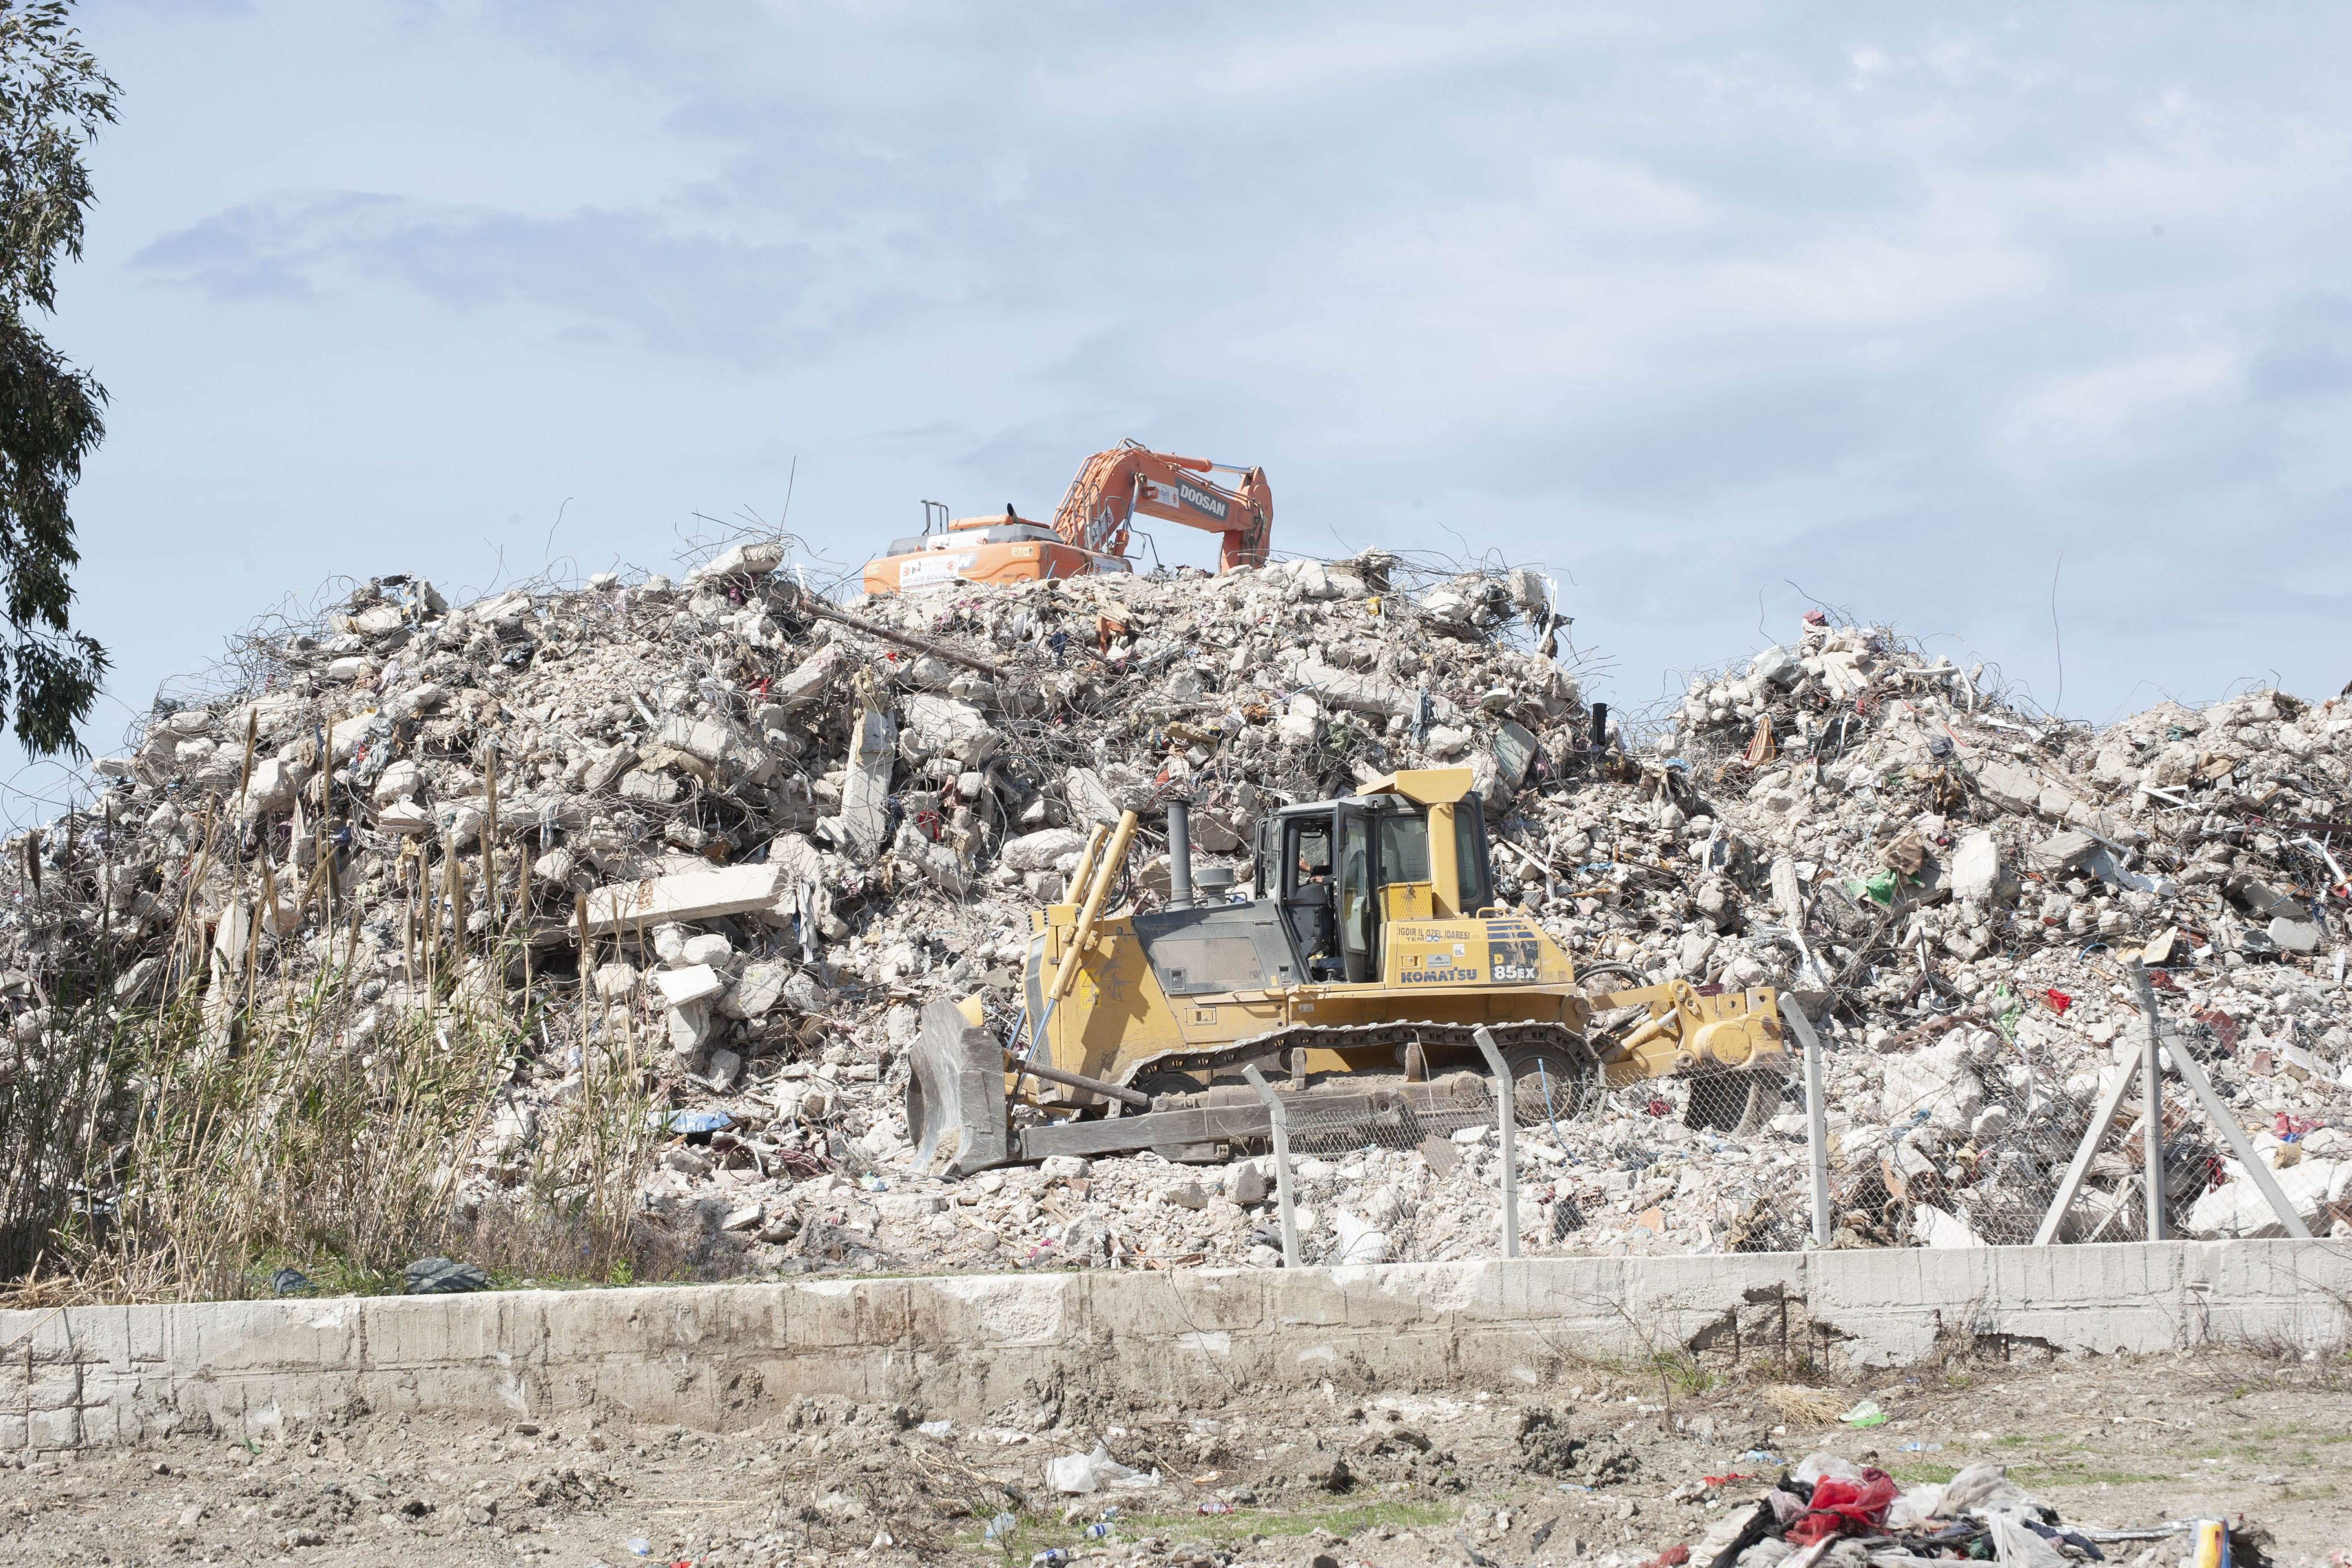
x,y
1711,309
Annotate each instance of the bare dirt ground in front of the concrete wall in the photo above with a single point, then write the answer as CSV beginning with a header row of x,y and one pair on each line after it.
x,y
1605,1473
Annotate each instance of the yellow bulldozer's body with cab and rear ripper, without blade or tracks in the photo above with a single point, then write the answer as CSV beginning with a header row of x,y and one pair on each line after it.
x,y
1130,998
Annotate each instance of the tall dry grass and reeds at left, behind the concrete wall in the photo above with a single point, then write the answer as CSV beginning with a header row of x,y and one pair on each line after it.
x,y
243,1125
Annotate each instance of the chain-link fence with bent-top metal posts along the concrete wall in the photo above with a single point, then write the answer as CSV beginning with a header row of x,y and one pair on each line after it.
x,y
1960,1134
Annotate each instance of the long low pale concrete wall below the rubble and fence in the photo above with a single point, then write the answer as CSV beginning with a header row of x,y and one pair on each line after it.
x,y
721,1358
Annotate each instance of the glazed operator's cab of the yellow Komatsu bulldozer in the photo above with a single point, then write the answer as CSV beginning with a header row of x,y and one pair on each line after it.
x,y
1344,869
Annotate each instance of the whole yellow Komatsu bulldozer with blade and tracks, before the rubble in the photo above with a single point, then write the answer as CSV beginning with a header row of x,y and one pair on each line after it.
x,y
1358,972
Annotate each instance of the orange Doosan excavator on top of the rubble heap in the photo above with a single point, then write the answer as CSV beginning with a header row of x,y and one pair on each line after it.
x,y
1093,525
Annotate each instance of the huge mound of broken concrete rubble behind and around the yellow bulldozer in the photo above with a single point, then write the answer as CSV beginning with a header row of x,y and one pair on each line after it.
x,y
768,829
